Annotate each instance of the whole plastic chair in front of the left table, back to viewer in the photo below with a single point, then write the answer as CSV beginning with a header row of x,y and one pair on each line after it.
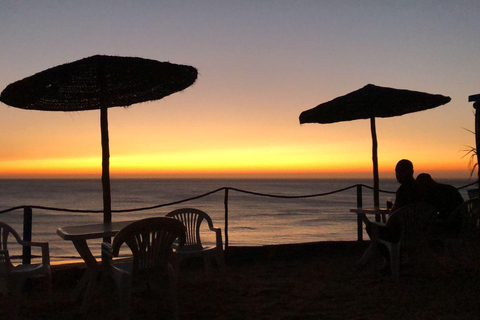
x,y
150,241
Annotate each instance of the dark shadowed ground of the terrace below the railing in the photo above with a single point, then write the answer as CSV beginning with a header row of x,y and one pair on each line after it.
x,y
309,281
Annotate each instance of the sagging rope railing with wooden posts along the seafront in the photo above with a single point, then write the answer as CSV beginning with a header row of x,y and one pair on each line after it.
x,y
28,209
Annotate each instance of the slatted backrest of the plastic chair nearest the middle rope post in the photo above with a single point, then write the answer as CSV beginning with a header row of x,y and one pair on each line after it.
x,y
192,220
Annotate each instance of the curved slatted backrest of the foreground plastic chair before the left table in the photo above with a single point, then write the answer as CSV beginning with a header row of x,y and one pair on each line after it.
x,y
150,241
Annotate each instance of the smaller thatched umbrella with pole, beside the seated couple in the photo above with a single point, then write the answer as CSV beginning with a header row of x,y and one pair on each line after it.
x,y
370,102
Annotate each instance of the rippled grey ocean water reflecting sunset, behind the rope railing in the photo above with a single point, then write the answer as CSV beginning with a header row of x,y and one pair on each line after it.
x,y
253,219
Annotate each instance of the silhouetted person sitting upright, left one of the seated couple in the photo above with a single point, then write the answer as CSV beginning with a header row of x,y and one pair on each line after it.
x,y
406,192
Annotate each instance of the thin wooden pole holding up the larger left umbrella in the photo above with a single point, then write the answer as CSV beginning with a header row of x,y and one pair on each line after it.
x,y
107,202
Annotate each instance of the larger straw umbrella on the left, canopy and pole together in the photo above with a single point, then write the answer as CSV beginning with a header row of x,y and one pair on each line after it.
x,y
99,82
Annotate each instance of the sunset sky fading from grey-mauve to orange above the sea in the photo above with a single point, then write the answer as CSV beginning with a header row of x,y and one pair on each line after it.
x,y
261,63
